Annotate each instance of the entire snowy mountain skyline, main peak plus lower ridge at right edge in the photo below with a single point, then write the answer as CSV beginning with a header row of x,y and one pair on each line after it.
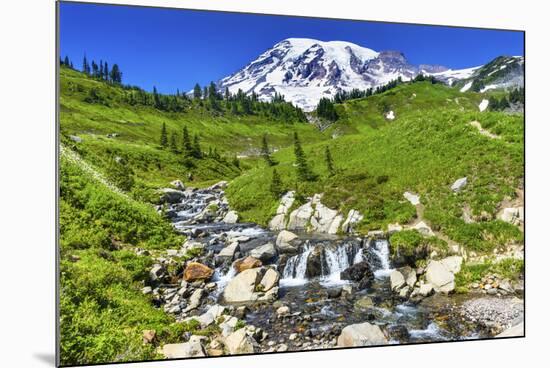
x,y
305,70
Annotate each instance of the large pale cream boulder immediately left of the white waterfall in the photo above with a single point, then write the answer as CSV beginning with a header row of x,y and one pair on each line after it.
x,y
254,285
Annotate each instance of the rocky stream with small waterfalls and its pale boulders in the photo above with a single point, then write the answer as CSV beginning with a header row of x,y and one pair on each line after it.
x,y
266,290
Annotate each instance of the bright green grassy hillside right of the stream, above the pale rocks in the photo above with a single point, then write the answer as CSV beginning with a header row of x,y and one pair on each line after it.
x,y
425,149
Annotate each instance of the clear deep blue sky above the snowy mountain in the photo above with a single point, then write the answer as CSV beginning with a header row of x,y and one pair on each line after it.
x,y
173,48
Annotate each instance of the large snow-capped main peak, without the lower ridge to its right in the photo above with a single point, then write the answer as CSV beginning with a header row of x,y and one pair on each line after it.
x,y
305,70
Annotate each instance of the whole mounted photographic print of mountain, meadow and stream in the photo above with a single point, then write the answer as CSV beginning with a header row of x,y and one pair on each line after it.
x,y
234,183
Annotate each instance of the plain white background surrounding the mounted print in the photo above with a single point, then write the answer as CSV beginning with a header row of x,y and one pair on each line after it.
x,y
27,183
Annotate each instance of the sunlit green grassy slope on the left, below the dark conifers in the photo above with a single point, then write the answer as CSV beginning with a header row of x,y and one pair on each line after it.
x,y
135,132
